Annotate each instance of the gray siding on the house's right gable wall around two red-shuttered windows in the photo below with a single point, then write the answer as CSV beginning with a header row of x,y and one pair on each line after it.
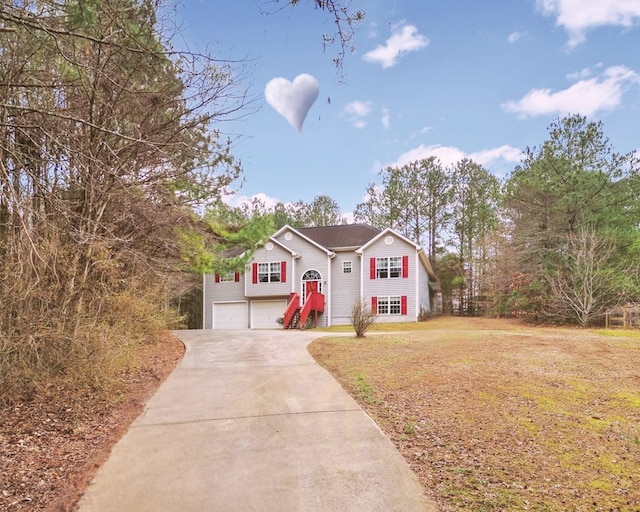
x,y
397,286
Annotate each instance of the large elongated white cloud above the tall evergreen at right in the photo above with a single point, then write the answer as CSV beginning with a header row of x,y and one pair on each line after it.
x,y
585,97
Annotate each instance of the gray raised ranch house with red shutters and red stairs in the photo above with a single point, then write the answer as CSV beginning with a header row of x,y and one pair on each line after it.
x,y
315,275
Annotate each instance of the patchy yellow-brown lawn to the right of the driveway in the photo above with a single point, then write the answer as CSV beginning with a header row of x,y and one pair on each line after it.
x,y
496,415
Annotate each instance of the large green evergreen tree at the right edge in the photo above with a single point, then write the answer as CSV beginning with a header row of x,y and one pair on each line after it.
x,y
572,185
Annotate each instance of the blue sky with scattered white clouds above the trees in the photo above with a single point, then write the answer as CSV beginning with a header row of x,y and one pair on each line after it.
x,y
455,79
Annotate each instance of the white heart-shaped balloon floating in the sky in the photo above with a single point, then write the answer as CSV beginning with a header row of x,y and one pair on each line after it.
x,y
292,100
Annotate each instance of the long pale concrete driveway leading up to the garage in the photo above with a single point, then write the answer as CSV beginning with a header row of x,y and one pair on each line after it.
x,y
249,422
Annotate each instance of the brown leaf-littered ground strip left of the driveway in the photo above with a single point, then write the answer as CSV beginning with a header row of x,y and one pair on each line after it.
x,y
52,446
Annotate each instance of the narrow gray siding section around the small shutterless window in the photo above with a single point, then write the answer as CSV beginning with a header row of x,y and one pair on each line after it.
x,y
345,289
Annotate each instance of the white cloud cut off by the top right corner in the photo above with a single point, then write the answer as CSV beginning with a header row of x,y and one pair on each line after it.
x,y
578,16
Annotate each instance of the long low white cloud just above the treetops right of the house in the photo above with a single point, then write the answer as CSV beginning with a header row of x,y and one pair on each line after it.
x,y
449,155
